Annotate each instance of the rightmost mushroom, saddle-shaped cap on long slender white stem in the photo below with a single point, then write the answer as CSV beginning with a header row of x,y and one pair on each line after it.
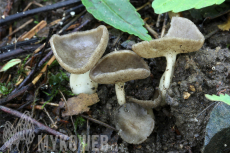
x,y
183,37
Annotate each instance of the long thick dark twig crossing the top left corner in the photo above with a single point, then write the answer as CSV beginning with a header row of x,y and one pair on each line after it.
x,y
37,10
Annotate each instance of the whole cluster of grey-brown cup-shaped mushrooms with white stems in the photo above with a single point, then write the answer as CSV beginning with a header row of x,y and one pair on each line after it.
x,y
79,53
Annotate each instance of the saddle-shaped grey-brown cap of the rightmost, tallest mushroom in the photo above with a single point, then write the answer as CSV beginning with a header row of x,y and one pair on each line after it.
x,y
183,37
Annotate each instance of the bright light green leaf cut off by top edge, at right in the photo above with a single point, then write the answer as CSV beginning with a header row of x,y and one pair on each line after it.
x,y
162,6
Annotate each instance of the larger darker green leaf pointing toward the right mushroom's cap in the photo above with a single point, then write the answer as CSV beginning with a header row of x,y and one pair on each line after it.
x,y
119,14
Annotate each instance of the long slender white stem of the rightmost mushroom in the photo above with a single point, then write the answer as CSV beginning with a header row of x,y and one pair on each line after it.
x,y
168,74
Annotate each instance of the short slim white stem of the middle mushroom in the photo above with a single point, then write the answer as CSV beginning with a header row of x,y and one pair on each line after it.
x,y
120,92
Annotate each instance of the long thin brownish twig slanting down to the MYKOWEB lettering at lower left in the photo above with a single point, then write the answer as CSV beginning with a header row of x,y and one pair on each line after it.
x,y
40,126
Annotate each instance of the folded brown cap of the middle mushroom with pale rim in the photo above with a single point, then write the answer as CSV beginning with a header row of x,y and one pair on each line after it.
x,y
119,66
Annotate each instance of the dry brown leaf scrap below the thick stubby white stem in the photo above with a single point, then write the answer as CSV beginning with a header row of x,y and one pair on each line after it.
x,y
80,104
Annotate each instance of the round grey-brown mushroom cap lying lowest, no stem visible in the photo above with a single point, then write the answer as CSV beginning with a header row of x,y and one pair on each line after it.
x,y
133,123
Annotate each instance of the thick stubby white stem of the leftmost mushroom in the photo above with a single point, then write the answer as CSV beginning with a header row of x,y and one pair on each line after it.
x,y
81,83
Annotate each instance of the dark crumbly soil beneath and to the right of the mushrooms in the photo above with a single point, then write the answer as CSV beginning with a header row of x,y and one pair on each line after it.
x,y
180,125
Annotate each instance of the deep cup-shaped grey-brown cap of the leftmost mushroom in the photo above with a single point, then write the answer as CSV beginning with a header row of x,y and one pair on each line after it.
x,y
78,52
